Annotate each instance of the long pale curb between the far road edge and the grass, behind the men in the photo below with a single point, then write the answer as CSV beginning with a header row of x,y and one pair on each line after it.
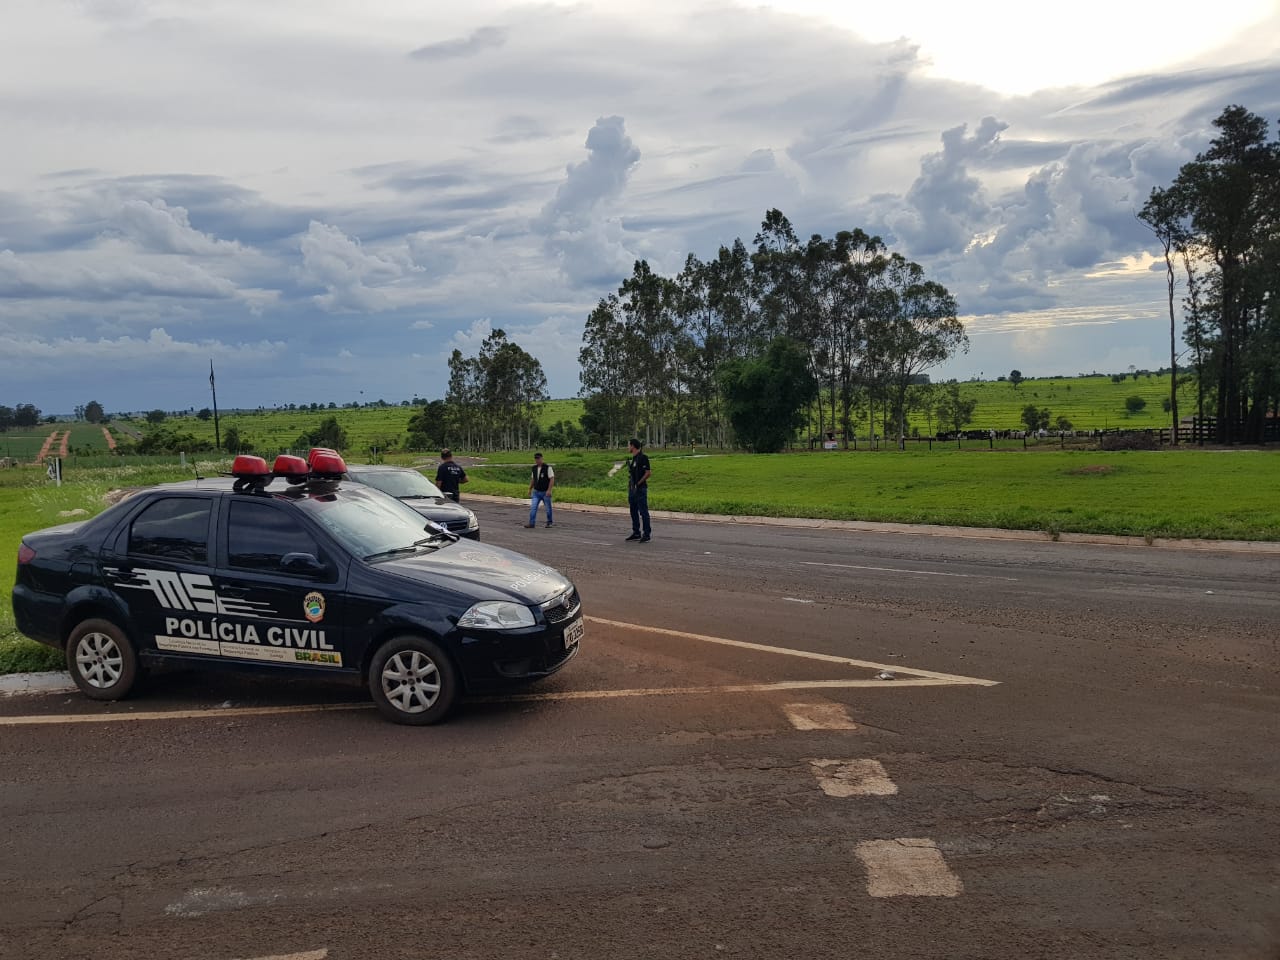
x,y
973,533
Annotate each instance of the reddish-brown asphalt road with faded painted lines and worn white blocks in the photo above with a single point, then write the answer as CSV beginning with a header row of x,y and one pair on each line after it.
x,y
1076,758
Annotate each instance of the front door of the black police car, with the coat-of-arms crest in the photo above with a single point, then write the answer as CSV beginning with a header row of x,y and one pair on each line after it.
x,y
282,589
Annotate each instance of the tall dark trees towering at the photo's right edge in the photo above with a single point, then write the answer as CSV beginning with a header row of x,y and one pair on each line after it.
x,y
1219,223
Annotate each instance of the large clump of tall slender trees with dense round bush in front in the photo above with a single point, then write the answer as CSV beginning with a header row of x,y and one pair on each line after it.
x,y
710,355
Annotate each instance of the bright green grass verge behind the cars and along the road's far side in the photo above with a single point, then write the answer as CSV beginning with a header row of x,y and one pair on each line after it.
x,y
1183,493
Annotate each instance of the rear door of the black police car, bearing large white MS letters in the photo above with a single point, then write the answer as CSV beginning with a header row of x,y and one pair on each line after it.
x,y
161,568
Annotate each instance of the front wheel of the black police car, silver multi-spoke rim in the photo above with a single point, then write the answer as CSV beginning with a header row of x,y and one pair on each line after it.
x,y
413,682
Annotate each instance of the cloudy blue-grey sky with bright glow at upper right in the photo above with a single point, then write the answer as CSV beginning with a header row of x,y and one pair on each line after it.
x,y
324,200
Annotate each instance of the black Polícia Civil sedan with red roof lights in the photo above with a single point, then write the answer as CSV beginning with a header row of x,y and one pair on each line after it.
x,y
289,568
